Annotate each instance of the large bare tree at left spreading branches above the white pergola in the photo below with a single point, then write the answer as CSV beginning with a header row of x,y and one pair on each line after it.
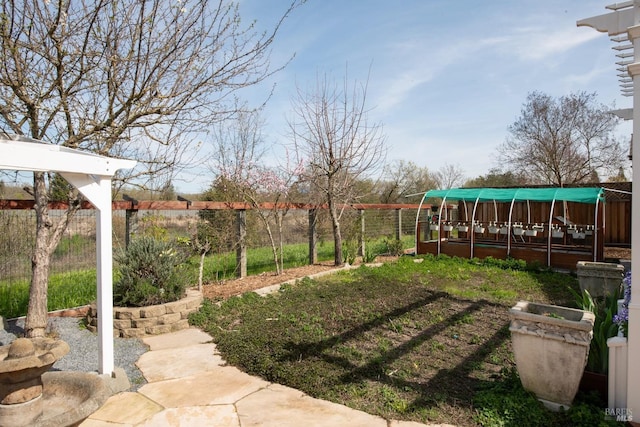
x,y
134,79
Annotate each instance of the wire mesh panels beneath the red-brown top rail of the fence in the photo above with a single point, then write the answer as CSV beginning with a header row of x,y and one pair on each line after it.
x,y
77,249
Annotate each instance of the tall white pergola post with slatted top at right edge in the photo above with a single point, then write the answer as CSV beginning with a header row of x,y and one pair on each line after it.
x,y
624,23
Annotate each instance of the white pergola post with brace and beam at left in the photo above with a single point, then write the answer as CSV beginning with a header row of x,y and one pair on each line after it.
x,y
91,175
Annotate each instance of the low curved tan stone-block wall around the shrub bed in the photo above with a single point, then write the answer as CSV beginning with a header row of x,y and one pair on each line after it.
x,y
134,322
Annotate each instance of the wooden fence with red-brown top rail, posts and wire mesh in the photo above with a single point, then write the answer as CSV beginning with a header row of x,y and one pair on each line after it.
x,y
368,220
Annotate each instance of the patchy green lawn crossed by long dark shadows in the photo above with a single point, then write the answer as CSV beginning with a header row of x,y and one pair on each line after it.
x,y
425,342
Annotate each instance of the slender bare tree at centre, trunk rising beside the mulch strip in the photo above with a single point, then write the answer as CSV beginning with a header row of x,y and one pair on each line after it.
x,y
332,133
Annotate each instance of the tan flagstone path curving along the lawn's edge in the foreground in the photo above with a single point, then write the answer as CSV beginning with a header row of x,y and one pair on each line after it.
x,y
189,384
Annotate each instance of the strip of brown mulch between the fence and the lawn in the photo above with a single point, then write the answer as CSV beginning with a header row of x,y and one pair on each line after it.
x,y
227,288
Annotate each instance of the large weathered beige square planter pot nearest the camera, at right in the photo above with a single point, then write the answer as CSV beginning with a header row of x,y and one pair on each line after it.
x,y
550,345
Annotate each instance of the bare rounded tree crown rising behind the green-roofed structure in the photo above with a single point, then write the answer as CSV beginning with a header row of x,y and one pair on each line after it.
x,y
562,141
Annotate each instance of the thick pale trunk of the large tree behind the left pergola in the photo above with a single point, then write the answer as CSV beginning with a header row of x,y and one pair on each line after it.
x,y
36,320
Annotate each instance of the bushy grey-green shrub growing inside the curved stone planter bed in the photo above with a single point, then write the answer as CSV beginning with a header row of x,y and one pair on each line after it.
x,y
149,274
